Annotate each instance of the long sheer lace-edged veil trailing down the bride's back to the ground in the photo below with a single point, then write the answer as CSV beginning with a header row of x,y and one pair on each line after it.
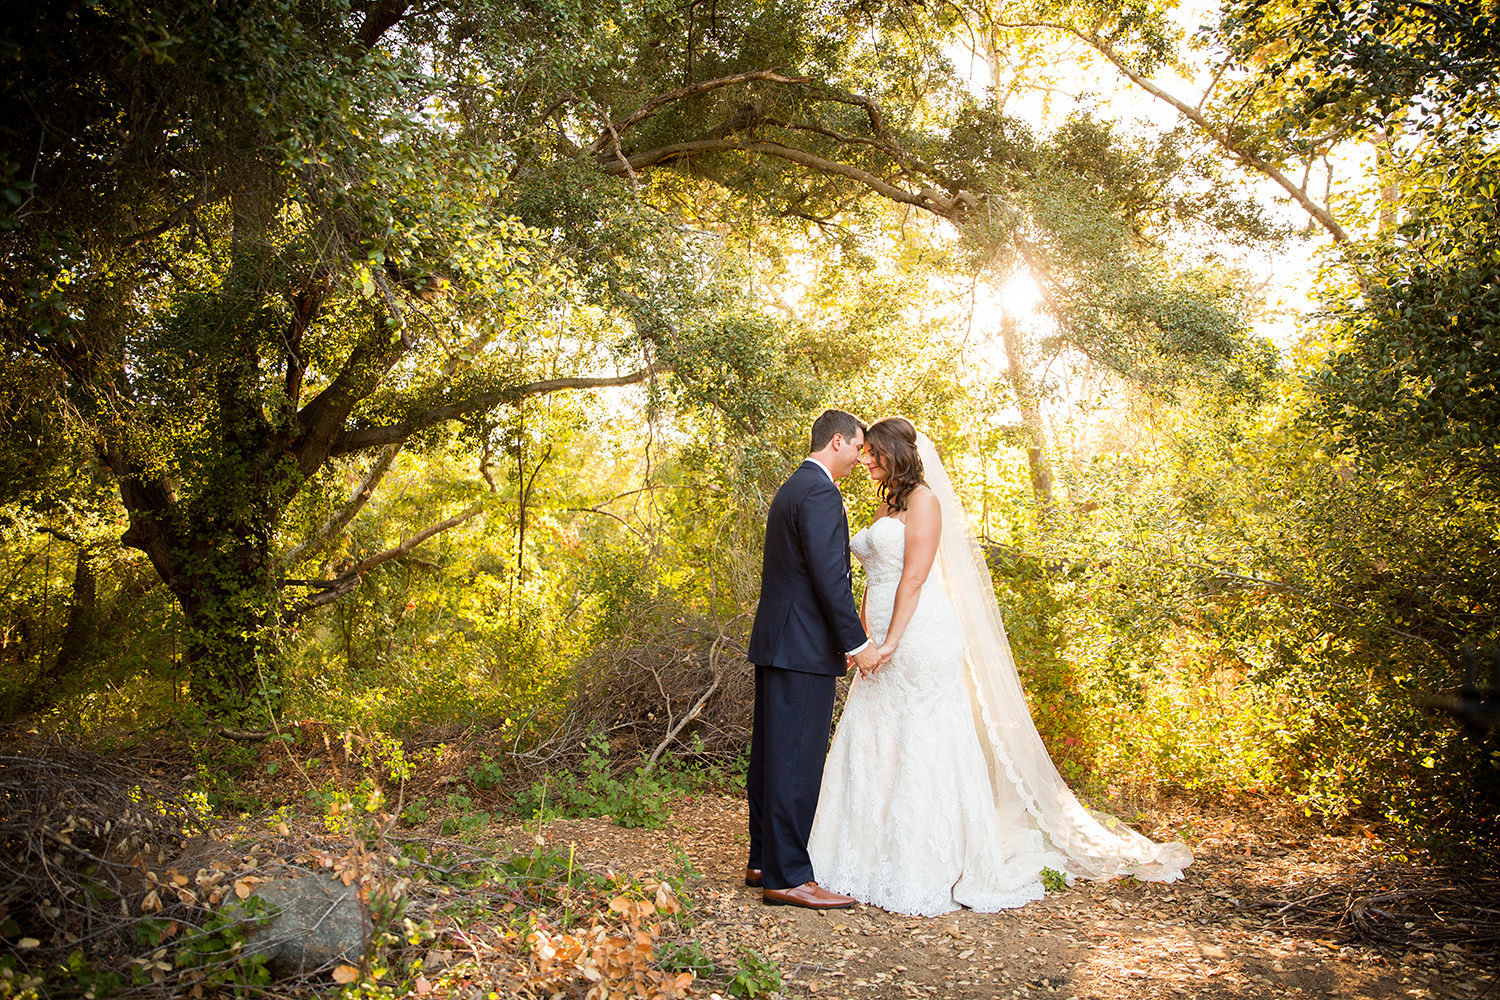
x,y
1022,774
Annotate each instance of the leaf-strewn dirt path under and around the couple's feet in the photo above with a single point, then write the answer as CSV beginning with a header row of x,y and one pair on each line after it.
x,y
1198,938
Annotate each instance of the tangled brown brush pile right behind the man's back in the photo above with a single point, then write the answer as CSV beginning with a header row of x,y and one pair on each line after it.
x,y
674,683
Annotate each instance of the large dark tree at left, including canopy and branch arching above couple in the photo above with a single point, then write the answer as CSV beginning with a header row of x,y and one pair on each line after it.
x,y
256,242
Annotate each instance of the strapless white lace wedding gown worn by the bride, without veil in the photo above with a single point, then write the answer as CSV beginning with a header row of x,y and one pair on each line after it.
x,y
905,818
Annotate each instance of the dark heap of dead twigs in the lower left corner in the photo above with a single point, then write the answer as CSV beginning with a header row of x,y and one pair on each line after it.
x,y
112,873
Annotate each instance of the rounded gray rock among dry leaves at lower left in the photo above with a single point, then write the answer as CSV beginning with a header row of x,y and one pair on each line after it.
x,y
308,924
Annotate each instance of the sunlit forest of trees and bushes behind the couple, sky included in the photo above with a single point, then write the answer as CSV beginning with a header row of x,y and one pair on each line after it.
x,y
428,370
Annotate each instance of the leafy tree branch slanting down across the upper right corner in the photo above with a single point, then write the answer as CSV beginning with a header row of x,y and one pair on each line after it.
x,y
1292,83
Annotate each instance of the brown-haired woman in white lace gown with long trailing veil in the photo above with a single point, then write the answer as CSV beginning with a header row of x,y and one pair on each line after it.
x,y
938,791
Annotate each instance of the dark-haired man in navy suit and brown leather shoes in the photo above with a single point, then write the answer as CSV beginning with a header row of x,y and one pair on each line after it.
x,y
806,633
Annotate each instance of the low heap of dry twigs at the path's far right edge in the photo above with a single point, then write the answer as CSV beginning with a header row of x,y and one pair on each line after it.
x,y
1409,908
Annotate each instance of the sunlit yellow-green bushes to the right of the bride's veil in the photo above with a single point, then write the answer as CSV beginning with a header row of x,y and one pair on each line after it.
x,y
1234,612
